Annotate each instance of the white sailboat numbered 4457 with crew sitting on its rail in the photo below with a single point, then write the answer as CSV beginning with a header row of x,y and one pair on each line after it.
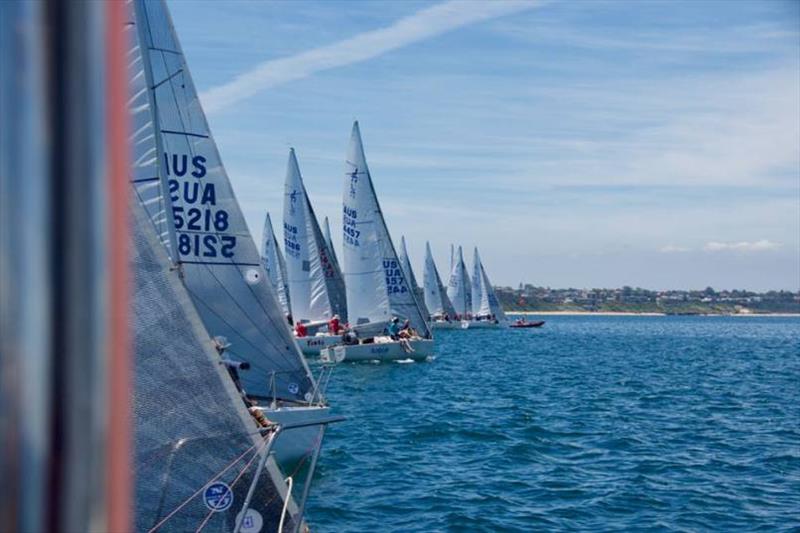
x,y
377,287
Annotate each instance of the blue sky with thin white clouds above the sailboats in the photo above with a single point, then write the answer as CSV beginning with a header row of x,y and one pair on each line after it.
x,y
581,143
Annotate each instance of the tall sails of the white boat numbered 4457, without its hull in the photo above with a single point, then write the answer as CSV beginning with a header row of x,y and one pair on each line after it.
x,y
377,288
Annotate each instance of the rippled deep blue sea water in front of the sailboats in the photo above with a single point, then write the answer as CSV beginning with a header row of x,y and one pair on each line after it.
x,y
589,423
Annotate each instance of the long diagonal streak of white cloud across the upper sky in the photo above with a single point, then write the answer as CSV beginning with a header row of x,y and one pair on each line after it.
x,y
422,25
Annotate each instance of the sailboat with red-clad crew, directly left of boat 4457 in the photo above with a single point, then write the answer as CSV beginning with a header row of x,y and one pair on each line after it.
x,y
315,283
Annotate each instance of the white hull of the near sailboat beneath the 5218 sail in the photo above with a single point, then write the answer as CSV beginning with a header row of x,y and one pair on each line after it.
x,y
294,444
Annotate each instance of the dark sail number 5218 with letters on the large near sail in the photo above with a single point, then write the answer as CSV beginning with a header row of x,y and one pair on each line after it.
x,y
198,220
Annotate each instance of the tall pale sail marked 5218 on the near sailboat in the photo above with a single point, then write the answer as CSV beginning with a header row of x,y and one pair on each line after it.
x,y
190,201
